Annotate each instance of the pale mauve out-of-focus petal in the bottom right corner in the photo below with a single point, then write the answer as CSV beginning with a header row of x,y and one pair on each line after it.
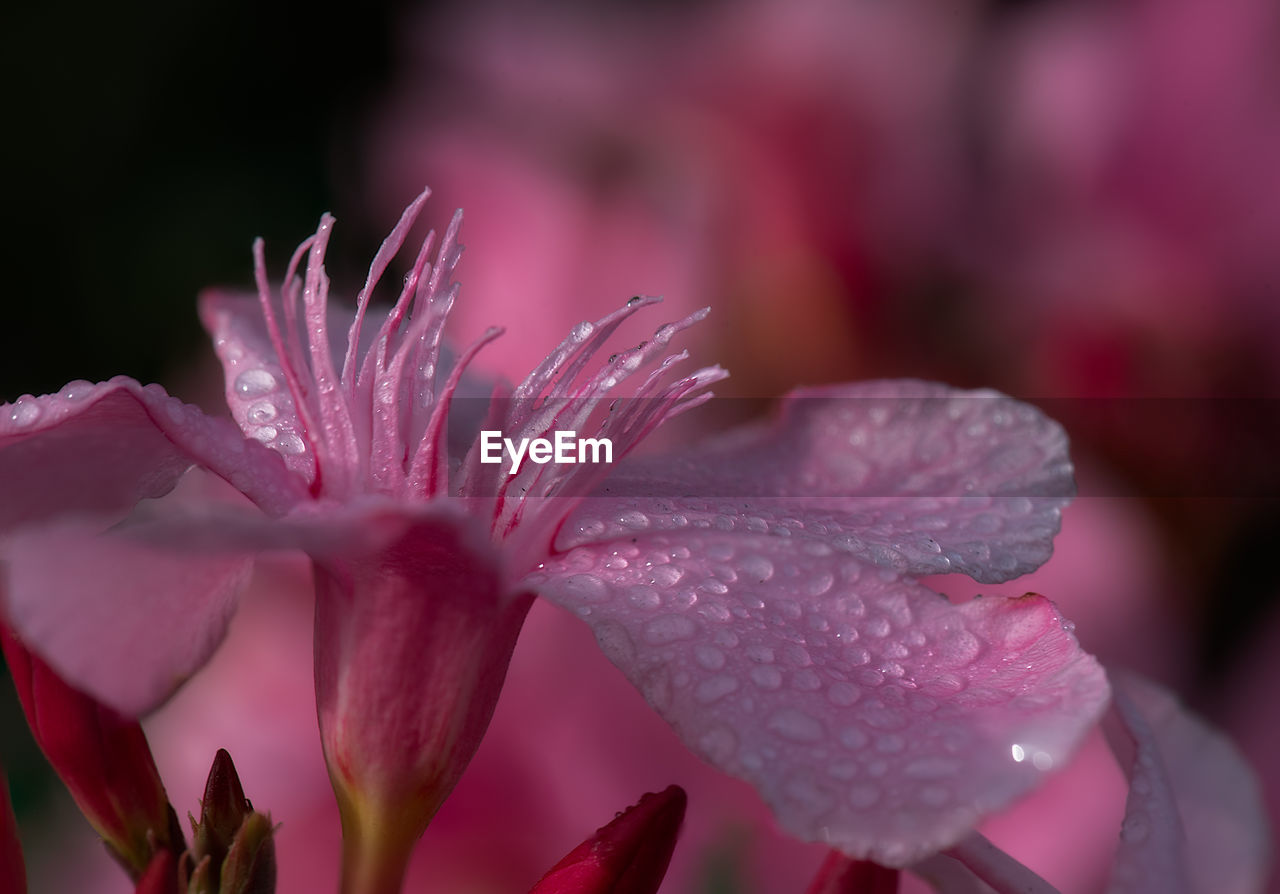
x,y
1195,819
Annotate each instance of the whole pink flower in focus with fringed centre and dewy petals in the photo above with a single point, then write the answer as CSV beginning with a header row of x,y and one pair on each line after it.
x,y
761,591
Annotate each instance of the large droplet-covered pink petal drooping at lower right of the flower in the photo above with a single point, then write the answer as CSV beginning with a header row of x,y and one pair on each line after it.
x,y
870,713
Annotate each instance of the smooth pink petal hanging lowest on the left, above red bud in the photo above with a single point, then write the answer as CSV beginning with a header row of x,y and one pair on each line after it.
x,y
154,619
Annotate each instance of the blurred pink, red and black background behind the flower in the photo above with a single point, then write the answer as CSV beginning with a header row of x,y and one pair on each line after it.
x,y
1073,203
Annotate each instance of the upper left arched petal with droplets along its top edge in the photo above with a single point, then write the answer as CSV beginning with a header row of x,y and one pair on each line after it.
x,y
99,449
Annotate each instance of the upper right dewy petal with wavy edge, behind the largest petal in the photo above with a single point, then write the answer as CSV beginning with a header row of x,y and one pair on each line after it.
x,y
908,476
